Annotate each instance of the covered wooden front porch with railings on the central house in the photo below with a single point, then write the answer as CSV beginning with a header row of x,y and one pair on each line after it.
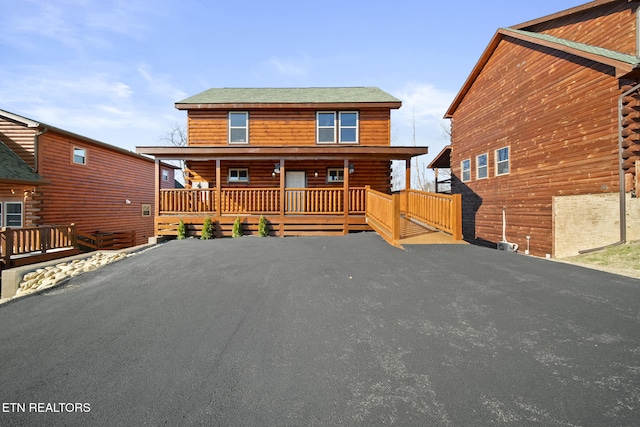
x,y
309,206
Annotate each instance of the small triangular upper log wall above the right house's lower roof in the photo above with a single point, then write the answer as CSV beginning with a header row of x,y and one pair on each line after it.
x,y
614,30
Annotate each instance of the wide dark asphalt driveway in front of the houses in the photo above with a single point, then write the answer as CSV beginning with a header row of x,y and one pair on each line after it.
x,y
325,331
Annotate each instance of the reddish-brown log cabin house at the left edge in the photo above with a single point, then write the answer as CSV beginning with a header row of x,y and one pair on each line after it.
x,y
49,176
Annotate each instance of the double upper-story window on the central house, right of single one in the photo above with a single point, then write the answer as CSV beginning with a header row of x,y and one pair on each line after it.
x,y
337,127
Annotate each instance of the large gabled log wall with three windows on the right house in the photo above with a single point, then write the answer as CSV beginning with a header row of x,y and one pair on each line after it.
x,y
558,115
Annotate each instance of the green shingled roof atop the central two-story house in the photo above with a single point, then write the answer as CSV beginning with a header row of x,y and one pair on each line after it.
x,y
314,95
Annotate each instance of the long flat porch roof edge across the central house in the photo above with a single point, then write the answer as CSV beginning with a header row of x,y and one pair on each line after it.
x,y
358,152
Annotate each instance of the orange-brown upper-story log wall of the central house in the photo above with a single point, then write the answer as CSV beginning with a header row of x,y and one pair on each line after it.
x,y
282,127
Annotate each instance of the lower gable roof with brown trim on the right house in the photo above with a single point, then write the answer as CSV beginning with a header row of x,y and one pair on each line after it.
x,y
622,63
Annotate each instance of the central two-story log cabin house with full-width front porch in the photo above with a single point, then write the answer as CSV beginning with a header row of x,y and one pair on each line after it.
x,y
302,157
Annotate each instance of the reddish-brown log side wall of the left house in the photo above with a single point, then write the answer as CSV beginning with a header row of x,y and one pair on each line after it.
x,y
93,195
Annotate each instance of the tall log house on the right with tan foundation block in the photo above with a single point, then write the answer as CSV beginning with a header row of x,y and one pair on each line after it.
x,y
547,128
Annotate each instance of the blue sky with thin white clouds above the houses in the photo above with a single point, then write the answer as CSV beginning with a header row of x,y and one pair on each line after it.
x,y
112,70
